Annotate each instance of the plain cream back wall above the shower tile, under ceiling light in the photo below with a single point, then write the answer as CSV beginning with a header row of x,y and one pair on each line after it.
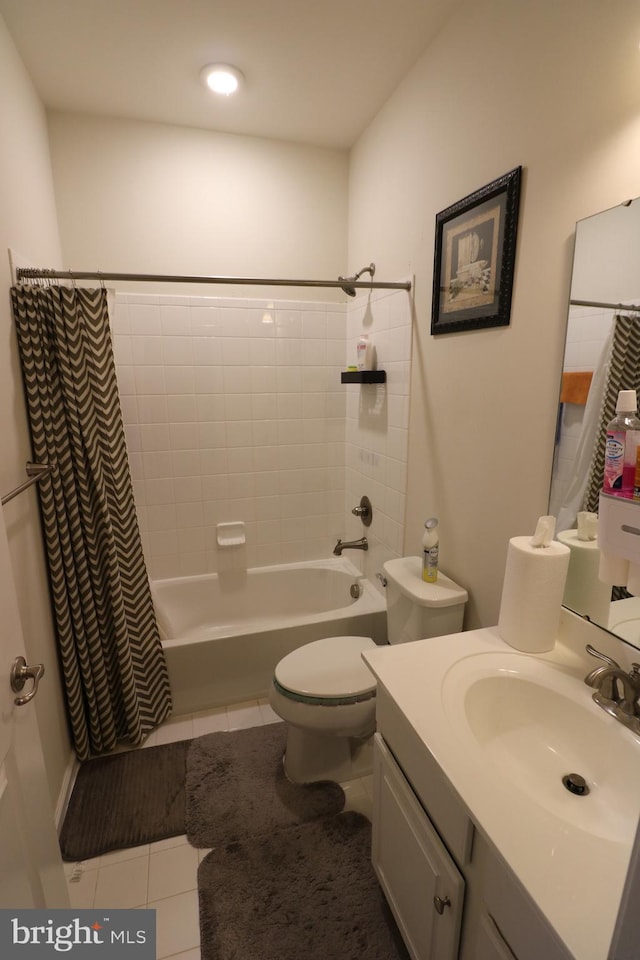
x,y
145,197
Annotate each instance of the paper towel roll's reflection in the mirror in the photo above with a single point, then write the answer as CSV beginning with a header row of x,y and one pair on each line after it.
x,y
584,592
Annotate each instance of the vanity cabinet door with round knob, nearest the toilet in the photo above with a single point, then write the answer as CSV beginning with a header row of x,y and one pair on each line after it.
x,y
422,884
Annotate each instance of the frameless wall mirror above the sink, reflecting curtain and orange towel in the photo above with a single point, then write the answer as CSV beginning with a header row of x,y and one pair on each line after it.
x,y
602,356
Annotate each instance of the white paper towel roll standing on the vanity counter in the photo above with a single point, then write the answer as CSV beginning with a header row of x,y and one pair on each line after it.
x,y
534,583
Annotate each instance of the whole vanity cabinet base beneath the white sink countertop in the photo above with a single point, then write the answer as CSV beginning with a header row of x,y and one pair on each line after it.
x,y
451,893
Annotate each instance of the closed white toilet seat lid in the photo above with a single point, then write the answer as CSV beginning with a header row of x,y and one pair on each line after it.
x,y
331,667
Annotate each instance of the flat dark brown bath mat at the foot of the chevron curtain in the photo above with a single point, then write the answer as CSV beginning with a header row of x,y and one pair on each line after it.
x,y
126,799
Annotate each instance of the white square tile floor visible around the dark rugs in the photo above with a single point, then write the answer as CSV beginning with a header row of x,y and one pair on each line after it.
x,y
163,875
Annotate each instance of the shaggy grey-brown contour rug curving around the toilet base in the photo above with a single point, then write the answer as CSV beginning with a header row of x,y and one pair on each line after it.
x,y
236,787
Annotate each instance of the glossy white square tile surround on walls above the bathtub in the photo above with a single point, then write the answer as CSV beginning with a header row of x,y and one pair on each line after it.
x,y
234,410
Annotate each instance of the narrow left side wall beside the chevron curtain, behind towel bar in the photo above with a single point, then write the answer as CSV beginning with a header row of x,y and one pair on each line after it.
x,y
27,226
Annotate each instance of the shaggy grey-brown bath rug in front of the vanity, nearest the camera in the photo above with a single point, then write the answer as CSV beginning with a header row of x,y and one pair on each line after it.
x,y
307,891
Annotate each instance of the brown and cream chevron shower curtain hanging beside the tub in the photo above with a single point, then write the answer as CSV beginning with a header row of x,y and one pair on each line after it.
x,y
115,676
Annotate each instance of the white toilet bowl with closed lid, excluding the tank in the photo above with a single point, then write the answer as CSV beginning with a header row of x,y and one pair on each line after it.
x,y
326,695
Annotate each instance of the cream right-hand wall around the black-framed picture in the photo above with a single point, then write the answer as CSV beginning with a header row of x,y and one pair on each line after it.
x,y
554,88
